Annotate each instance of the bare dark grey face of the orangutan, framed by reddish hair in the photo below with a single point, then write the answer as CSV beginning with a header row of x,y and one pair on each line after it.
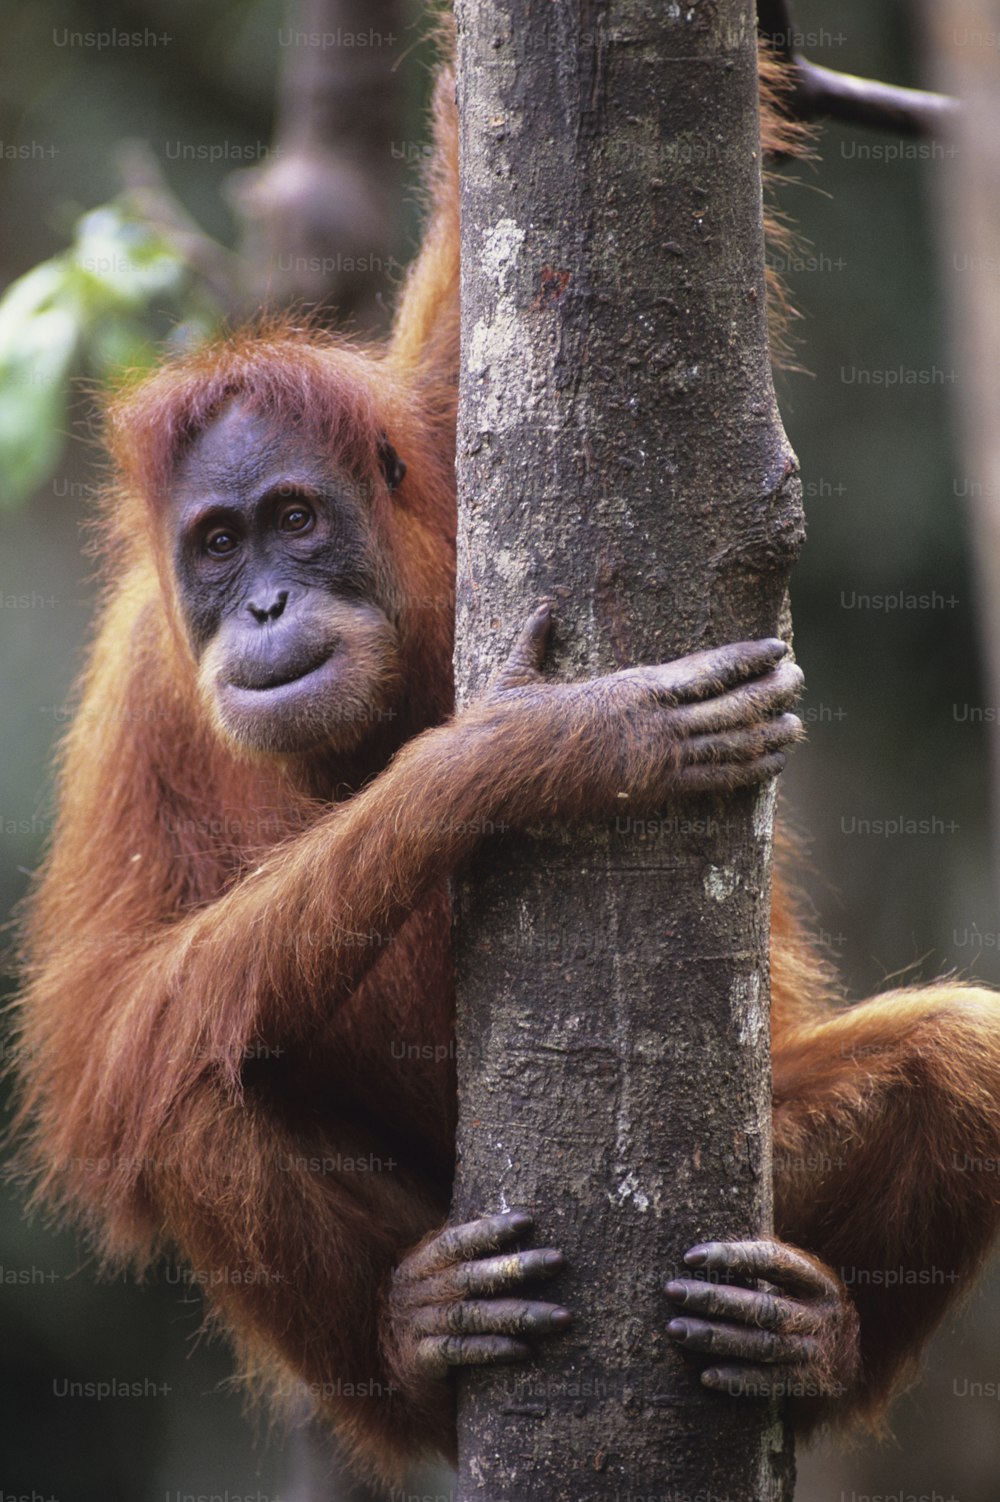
x,y
274,559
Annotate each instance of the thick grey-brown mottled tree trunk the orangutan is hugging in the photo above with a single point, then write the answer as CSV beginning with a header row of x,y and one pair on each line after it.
x,y
621,451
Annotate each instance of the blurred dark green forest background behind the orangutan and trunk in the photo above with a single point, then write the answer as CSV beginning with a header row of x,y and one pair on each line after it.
x,y
221,160
